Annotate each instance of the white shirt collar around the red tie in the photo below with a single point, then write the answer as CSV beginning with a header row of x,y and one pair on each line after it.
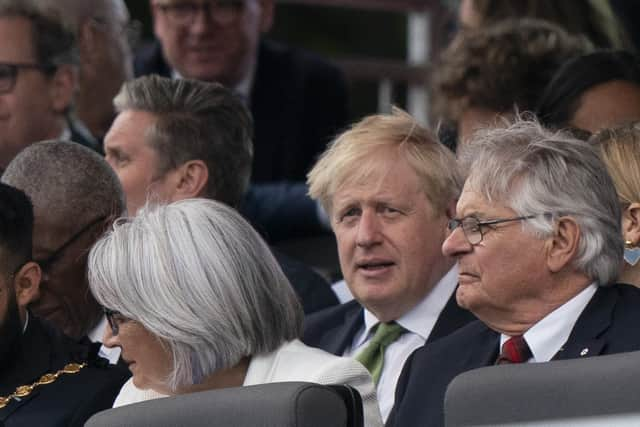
x,y
546,337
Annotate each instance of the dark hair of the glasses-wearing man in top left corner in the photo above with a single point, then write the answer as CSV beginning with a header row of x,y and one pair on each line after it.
x,y
54,41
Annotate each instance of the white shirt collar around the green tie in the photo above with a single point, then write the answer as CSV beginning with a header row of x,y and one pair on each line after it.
x,y
421,319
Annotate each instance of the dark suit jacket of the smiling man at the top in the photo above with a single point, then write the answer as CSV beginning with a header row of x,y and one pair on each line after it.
x,y
298,102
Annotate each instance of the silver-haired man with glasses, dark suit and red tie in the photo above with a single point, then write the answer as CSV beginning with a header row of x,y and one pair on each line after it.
x,y
538,241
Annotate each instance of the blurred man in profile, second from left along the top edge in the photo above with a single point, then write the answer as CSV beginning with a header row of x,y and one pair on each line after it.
x,y
103,32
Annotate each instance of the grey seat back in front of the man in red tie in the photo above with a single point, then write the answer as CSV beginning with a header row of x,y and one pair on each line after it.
x,y
559,390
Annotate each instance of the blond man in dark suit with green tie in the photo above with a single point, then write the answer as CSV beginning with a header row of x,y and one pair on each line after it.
x,y
389,188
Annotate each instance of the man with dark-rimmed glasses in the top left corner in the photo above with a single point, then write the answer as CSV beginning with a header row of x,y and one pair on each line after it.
x,y
38,67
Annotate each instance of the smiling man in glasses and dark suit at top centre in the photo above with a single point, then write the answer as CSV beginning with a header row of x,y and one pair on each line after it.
x,y
297,100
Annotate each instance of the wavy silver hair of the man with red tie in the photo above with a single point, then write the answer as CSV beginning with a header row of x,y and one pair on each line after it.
x,y
536,171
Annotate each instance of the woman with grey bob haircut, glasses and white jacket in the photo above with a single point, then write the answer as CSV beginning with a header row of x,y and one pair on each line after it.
x,y
196,301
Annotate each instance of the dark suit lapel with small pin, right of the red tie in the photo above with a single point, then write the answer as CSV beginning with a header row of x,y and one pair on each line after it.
x,y
589,337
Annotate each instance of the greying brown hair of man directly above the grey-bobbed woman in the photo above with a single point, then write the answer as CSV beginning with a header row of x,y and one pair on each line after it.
x,y
196,120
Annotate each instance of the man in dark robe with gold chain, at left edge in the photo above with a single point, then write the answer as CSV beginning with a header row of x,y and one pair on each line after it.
x,y
46,378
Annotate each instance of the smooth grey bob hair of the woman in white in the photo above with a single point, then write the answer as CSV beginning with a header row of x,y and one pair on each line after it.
x,y
197,276
